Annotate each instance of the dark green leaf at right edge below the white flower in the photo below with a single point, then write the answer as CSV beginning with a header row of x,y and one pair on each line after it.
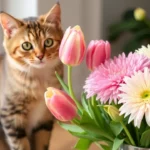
x,y
145,140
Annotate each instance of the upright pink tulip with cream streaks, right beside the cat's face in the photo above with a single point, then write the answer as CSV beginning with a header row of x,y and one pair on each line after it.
x,y
72,47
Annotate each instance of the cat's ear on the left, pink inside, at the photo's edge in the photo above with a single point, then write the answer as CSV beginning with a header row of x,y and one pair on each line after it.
x,y
9,24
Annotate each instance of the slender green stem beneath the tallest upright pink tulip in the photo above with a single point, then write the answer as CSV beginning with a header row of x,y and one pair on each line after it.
x,y
71,89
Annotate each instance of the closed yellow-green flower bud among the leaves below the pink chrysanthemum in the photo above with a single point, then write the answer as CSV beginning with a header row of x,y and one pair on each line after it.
x,y
113,113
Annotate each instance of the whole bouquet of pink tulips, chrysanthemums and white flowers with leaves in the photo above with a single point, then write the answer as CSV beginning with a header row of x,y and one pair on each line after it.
x,y
114,108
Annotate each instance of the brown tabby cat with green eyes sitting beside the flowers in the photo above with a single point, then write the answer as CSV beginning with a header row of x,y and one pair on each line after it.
x,y
27,69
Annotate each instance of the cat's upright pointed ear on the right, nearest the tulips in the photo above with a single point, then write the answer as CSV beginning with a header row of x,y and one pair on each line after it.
x,y
54,15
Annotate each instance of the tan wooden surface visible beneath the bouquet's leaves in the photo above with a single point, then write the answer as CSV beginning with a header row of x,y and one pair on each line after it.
x,y
63,140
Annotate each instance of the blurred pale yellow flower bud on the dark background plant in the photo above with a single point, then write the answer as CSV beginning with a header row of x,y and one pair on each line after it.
x,y
139,14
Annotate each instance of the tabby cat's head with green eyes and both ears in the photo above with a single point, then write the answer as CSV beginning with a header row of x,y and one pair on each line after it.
x,y
32,43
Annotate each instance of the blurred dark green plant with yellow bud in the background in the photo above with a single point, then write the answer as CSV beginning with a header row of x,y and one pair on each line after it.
x,y
135,22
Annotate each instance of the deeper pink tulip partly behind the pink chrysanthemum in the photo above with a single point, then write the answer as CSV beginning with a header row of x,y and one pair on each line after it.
x,y
97,53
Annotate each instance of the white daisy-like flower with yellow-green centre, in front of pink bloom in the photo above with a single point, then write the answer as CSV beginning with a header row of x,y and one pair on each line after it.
x,y
136,97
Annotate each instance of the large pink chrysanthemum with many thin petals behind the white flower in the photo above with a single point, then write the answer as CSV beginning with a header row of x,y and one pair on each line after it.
x,y
106,79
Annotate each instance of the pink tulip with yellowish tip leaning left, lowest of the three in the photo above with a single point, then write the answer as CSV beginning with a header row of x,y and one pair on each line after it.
x,y
60,104
